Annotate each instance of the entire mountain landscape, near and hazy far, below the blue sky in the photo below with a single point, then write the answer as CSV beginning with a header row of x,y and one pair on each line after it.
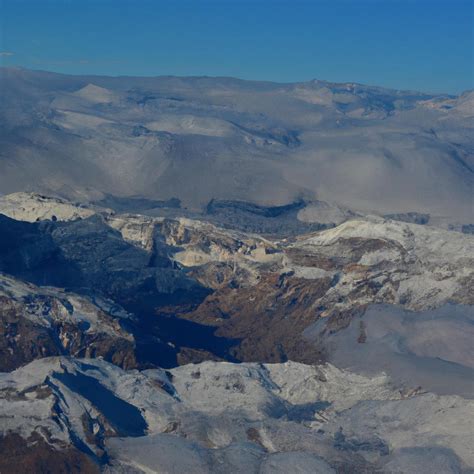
x,y
214,275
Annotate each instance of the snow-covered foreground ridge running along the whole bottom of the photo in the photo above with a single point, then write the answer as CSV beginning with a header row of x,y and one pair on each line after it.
x,y
269,418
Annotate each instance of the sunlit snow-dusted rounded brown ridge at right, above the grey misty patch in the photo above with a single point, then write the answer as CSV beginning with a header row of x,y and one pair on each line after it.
x,y
406,264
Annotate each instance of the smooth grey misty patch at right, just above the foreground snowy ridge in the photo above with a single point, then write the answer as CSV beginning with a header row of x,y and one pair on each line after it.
x,y
432,349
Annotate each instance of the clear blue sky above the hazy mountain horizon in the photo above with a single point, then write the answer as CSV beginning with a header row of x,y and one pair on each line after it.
x,y
406,44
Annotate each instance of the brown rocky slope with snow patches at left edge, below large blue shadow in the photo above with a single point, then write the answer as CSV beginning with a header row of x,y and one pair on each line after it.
x,y
37,322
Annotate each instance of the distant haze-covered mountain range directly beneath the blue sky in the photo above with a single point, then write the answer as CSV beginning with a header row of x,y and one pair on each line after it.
x,y
196,139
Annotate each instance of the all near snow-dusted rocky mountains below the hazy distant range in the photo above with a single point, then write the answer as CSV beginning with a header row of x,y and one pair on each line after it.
x,y
358,327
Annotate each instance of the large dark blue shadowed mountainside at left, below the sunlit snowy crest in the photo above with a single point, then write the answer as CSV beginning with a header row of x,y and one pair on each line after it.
x,y
86,253
